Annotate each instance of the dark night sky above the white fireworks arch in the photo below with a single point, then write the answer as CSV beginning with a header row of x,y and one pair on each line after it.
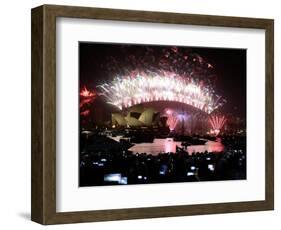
x,y
223,69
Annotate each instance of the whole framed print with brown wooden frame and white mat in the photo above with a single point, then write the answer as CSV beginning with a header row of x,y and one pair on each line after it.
x,y
148,114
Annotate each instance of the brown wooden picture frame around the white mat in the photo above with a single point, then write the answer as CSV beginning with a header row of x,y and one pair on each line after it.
x,y
43,208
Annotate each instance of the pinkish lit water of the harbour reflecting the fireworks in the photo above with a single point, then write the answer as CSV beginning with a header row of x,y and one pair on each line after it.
x,y
169,145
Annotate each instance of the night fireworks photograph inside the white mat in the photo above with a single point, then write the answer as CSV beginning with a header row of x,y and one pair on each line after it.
x,y
161,114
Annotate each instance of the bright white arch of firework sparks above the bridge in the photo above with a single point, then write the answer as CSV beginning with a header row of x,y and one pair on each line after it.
x,y
128,91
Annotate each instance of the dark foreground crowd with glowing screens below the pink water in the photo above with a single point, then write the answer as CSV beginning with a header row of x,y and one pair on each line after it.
x,y
104,161
